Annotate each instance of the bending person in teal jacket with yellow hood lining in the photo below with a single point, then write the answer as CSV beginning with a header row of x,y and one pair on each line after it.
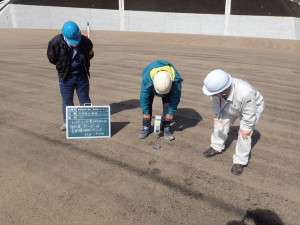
x,y
160,78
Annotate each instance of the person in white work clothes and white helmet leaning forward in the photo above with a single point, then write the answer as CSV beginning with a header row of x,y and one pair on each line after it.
x,y
232,98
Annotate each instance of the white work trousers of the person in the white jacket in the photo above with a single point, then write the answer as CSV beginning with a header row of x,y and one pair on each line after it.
x,y
220,134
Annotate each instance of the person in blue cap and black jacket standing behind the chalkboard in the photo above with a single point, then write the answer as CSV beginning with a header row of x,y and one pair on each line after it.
x,y
71,53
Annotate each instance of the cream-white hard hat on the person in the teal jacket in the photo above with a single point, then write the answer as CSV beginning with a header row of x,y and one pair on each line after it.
x,y
162,82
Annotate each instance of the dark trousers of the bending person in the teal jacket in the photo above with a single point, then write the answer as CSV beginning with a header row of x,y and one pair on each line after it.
x,y
166,102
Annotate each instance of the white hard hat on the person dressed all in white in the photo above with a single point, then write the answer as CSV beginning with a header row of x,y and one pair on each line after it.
x,y
216,81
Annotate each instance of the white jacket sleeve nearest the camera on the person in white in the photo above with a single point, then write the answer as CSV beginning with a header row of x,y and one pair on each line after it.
x,y
248,119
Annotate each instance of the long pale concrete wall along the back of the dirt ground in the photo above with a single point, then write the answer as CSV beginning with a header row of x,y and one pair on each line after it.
x,y
23,16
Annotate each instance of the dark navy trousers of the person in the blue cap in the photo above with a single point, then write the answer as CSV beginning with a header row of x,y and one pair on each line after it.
x,y
67,88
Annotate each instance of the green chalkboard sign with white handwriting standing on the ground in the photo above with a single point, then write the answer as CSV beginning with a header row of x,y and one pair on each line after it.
x,y
88,122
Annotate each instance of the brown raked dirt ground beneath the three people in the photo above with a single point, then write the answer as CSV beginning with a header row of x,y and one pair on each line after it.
x,y
48,179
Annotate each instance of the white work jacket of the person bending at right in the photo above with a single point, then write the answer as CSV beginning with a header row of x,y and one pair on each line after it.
x,y
243,101
